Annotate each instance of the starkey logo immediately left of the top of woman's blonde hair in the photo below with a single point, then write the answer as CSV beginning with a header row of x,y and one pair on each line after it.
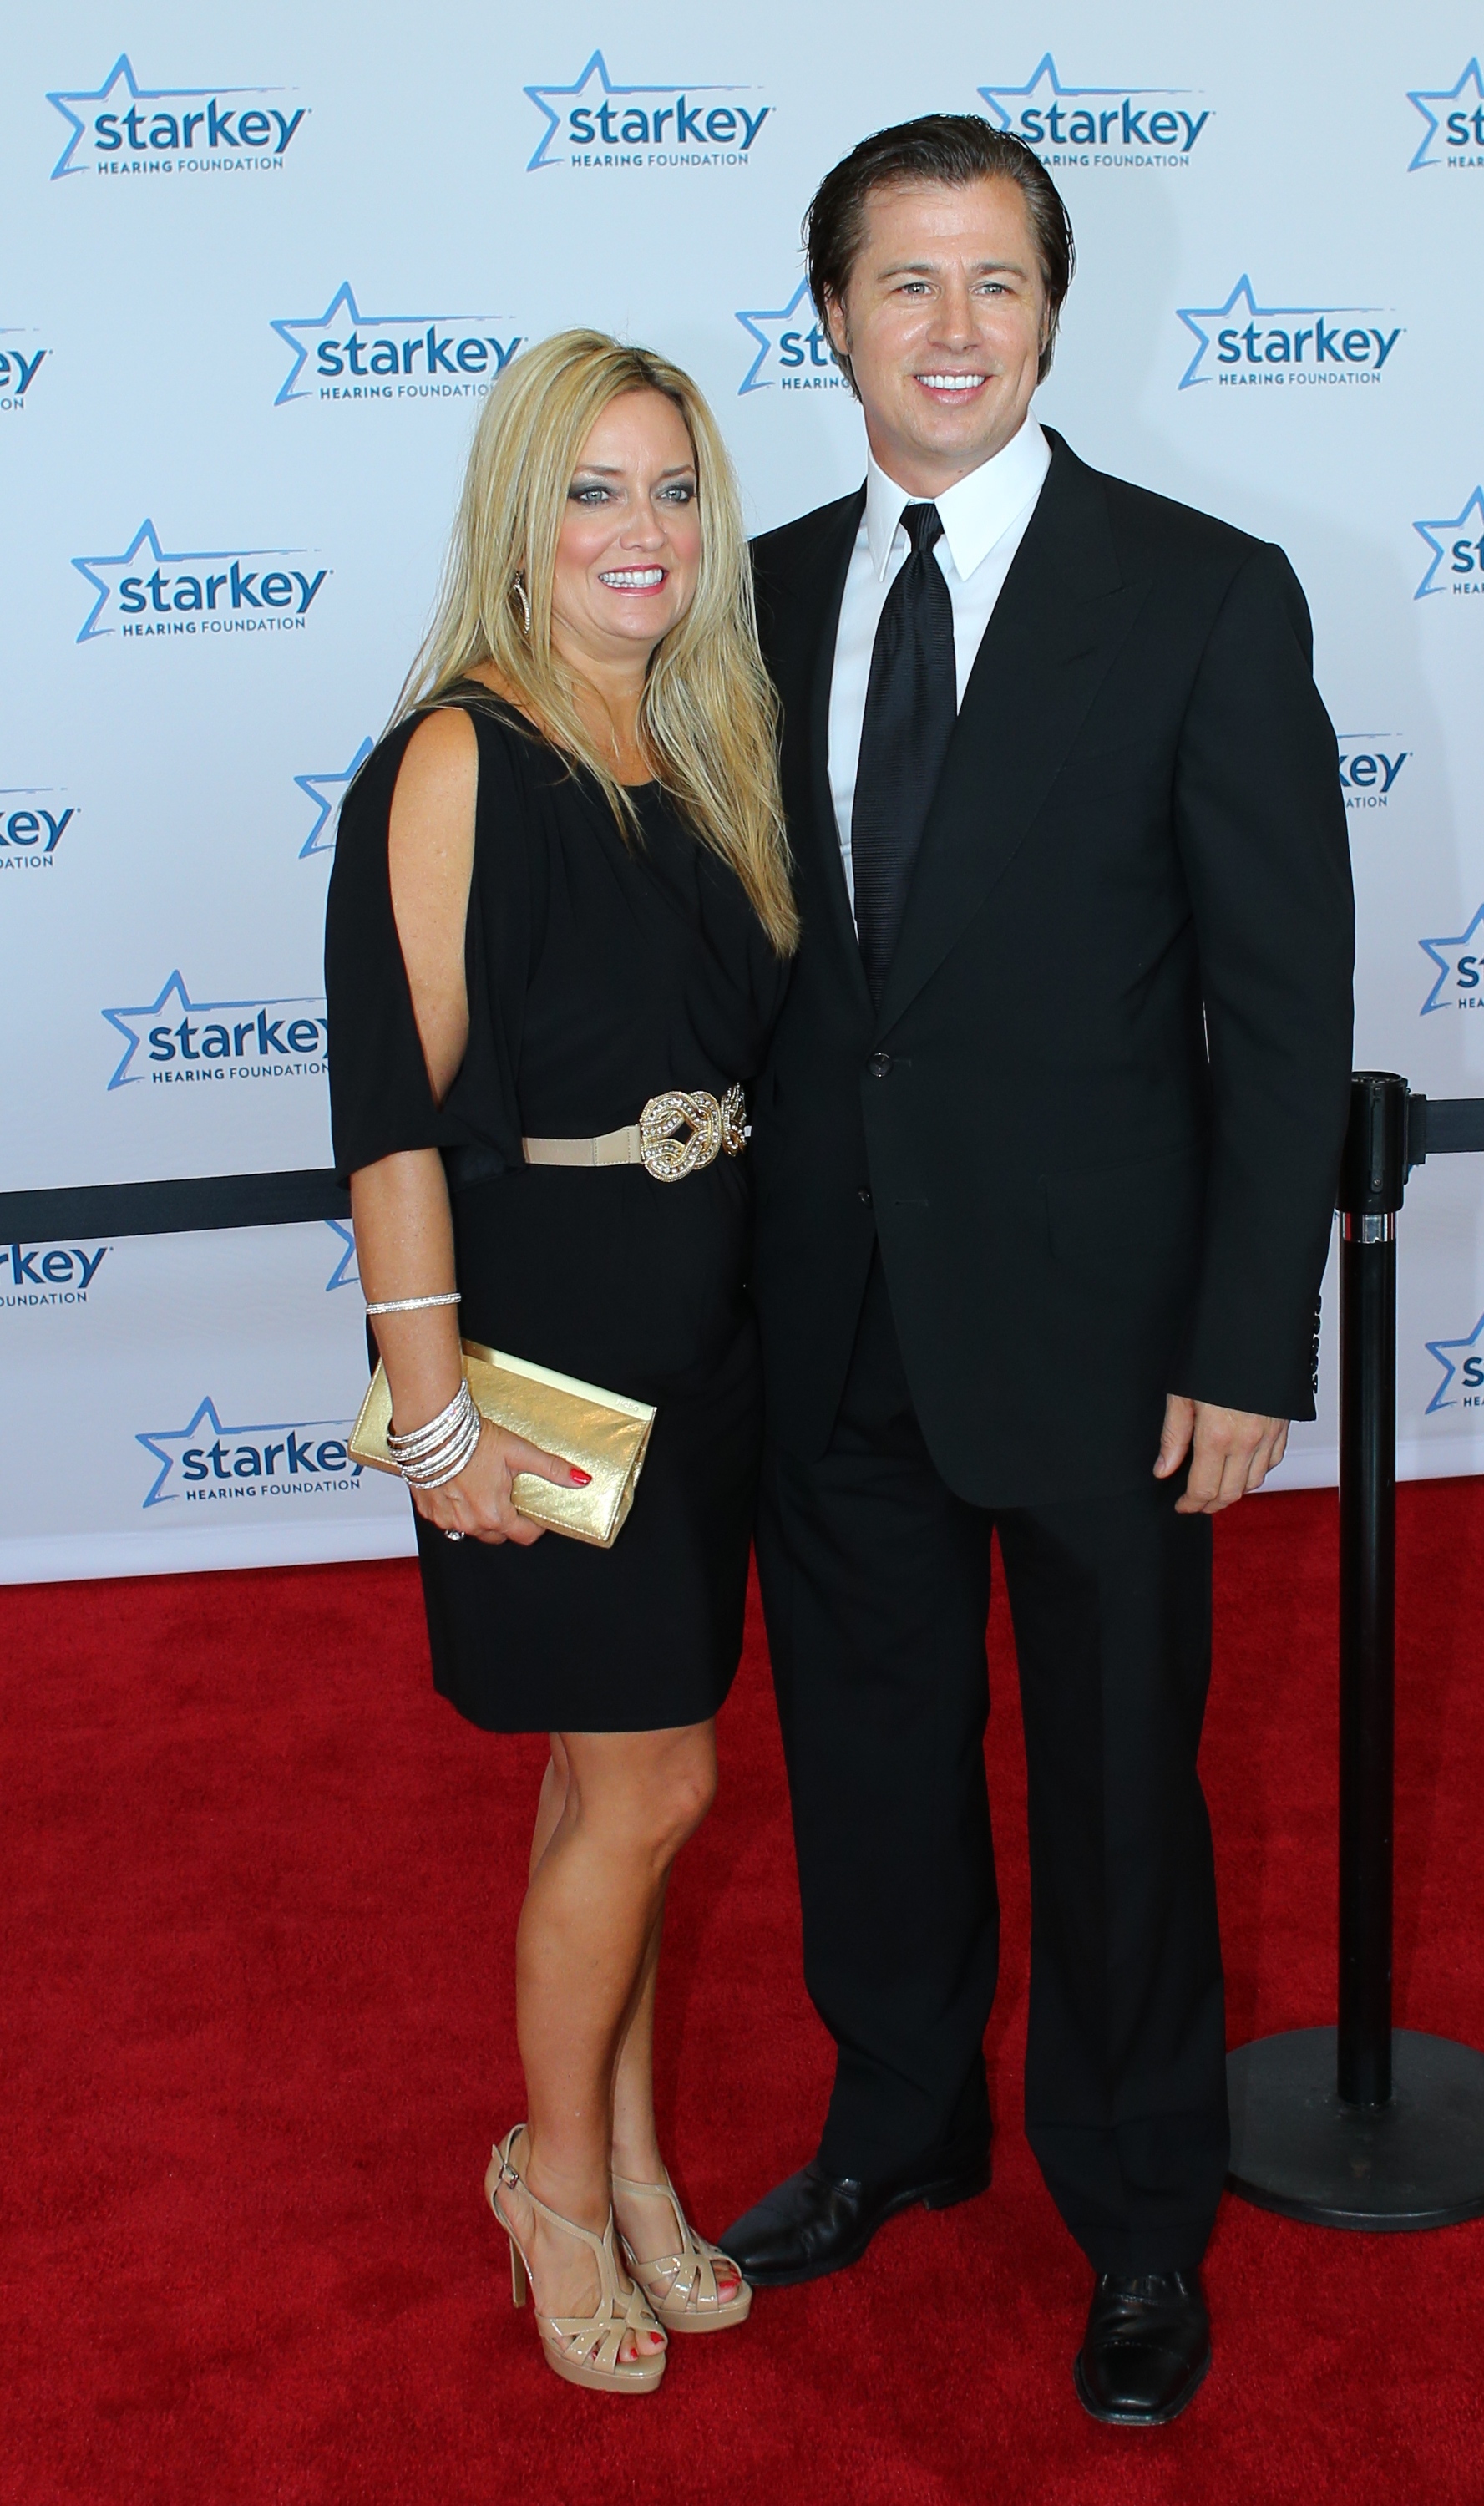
x,y
375,360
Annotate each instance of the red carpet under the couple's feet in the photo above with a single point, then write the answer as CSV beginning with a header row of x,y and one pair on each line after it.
x,y
259,1901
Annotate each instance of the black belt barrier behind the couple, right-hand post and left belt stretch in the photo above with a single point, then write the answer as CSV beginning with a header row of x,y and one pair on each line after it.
x,y
1352,2126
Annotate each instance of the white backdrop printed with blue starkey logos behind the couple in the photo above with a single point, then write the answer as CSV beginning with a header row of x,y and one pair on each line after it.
x,y
262,267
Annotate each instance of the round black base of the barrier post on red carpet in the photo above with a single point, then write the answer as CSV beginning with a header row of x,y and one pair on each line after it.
x,y
1410,2164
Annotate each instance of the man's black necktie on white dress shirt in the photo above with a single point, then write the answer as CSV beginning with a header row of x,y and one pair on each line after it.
x,y
911,708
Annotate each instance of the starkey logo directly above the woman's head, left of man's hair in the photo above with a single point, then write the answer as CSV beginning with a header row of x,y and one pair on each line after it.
x,y
605,124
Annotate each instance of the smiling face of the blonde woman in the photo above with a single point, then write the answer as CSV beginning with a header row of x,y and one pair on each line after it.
x,y
630,548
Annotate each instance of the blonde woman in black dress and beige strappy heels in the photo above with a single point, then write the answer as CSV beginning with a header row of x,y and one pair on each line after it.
x,y
560,891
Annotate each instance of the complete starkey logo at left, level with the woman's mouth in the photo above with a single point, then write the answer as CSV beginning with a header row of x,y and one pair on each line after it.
x,y
177,593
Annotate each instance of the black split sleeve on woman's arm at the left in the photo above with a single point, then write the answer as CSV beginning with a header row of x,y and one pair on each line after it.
x,y
382,1099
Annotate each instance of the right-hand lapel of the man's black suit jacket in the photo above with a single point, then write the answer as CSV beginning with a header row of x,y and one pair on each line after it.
x,y
1049,645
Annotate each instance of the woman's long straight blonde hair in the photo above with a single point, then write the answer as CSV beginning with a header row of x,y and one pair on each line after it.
x,y
708,718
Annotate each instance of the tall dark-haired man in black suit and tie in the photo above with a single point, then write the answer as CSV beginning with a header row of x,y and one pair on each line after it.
x,y
1047,1164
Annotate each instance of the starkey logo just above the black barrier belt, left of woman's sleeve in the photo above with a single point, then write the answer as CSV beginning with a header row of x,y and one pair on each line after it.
x,y
174,1041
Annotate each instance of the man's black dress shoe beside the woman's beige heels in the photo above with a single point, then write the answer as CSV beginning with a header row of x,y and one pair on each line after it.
x,y
816,2224
